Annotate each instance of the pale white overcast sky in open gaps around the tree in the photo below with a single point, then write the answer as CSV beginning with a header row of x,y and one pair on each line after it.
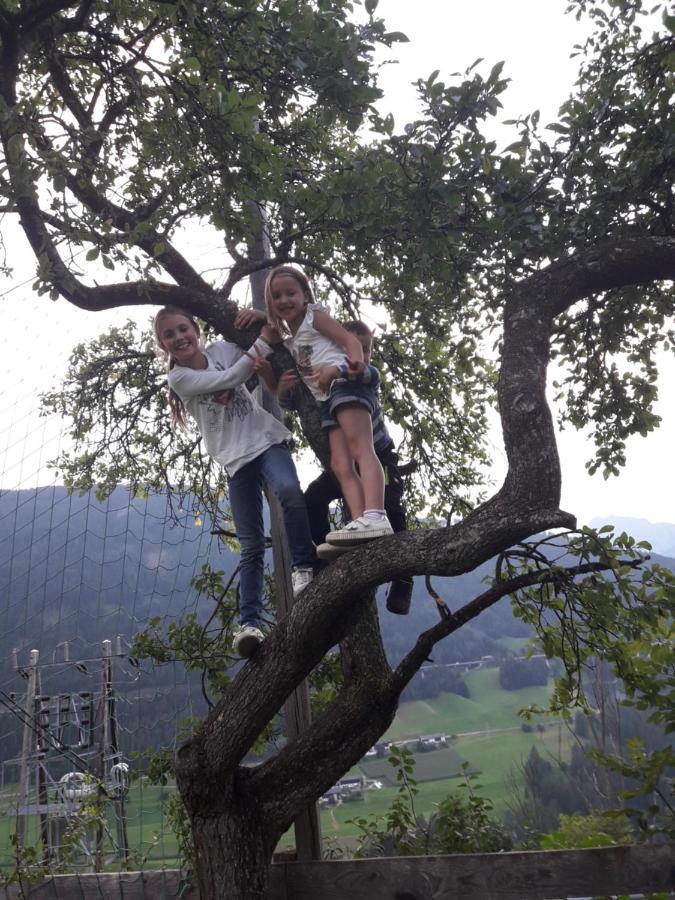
x,y
535,39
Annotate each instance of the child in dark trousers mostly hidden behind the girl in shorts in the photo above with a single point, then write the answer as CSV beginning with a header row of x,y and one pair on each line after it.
x,y
324,489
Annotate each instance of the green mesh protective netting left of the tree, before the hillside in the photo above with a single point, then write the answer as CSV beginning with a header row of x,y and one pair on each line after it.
x,y
78,577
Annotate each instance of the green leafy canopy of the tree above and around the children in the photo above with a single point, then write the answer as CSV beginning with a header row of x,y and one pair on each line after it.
x,y
127,124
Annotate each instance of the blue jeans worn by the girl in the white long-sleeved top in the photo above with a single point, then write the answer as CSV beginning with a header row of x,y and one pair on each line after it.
x,y
275,466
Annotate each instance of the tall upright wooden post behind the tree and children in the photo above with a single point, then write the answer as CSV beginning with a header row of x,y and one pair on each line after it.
x,y
297,714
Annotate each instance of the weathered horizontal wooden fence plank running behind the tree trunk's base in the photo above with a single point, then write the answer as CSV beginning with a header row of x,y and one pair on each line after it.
x,y
534,875
